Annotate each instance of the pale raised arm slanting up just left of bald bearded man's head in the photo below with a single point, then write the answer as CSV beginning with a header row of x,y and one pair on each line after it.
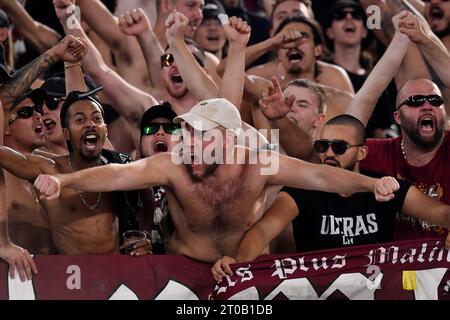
x,y
362,105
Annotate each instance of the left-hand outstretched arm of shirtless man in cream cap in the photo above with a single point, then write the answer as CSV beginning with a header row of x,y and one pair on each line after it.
x,y
154,171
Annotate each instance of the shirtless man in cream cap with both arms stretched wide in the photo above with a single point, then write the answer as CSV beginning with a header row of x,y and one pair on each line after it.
x,y
216,190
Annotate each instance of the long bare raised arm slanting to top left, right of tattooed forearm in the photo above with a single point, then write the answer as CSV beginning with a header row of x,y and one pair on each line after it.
x,y
128,100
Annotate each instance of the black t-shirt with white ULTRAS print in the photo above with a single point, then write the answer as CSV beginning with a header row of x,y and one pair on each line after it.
x,y
327,220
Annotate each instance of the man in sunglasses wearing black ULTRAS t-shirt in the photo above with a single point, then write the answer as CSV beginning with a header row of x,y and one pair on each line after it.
x,y
324,220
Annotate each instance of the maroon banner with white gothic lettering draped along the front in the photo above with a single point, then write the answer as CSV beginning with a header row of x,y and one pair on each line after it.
x,y
418,269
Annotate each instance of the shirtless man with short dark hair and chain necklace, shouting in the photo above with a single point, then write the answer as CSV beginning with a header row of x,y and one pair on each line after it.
x,y
82,223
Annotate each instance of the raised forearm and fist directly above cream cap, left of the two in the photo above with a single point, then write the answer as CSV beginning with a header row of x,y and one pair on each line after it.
x,y
200,85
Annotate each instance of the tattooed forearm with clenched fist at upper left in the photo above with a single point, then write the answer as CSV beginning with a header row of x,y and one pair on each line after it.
x,y
21,81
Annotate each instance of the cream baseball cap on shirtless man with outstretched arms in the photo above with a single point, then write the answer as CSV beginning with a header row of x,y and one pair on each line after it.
x,y
209,114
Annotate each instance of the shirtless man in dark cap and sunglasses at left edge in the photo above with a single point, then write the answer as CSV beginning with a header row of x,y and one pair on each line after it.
x,y
27,220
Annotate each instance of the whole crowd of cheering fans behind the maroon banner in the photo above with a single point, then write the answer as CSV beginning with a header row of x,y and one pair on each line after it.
x,y
106,103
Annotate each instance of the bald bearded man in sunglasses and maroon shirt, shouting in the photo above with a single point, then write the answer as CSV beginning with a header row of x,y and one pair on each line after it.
x,y
421,154
